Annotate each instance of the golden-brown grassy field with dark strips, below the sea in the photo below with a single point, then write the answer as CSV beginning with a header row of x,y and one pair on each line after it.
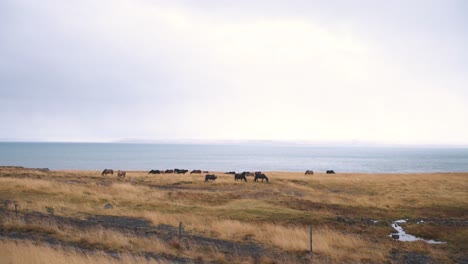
x,y
60,214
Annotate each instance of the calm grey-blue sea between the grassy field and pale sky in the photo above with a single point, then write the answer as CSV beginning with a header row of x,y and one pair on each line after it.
x,y
234,157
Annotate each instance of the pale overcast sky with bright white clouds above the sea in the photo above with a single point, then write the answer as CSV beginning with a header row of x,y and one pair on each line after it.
x,y
389,72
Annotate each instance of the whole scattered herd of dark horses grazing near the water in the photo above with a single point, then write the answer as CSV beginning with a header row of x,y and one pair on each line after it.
x,y
258,175
